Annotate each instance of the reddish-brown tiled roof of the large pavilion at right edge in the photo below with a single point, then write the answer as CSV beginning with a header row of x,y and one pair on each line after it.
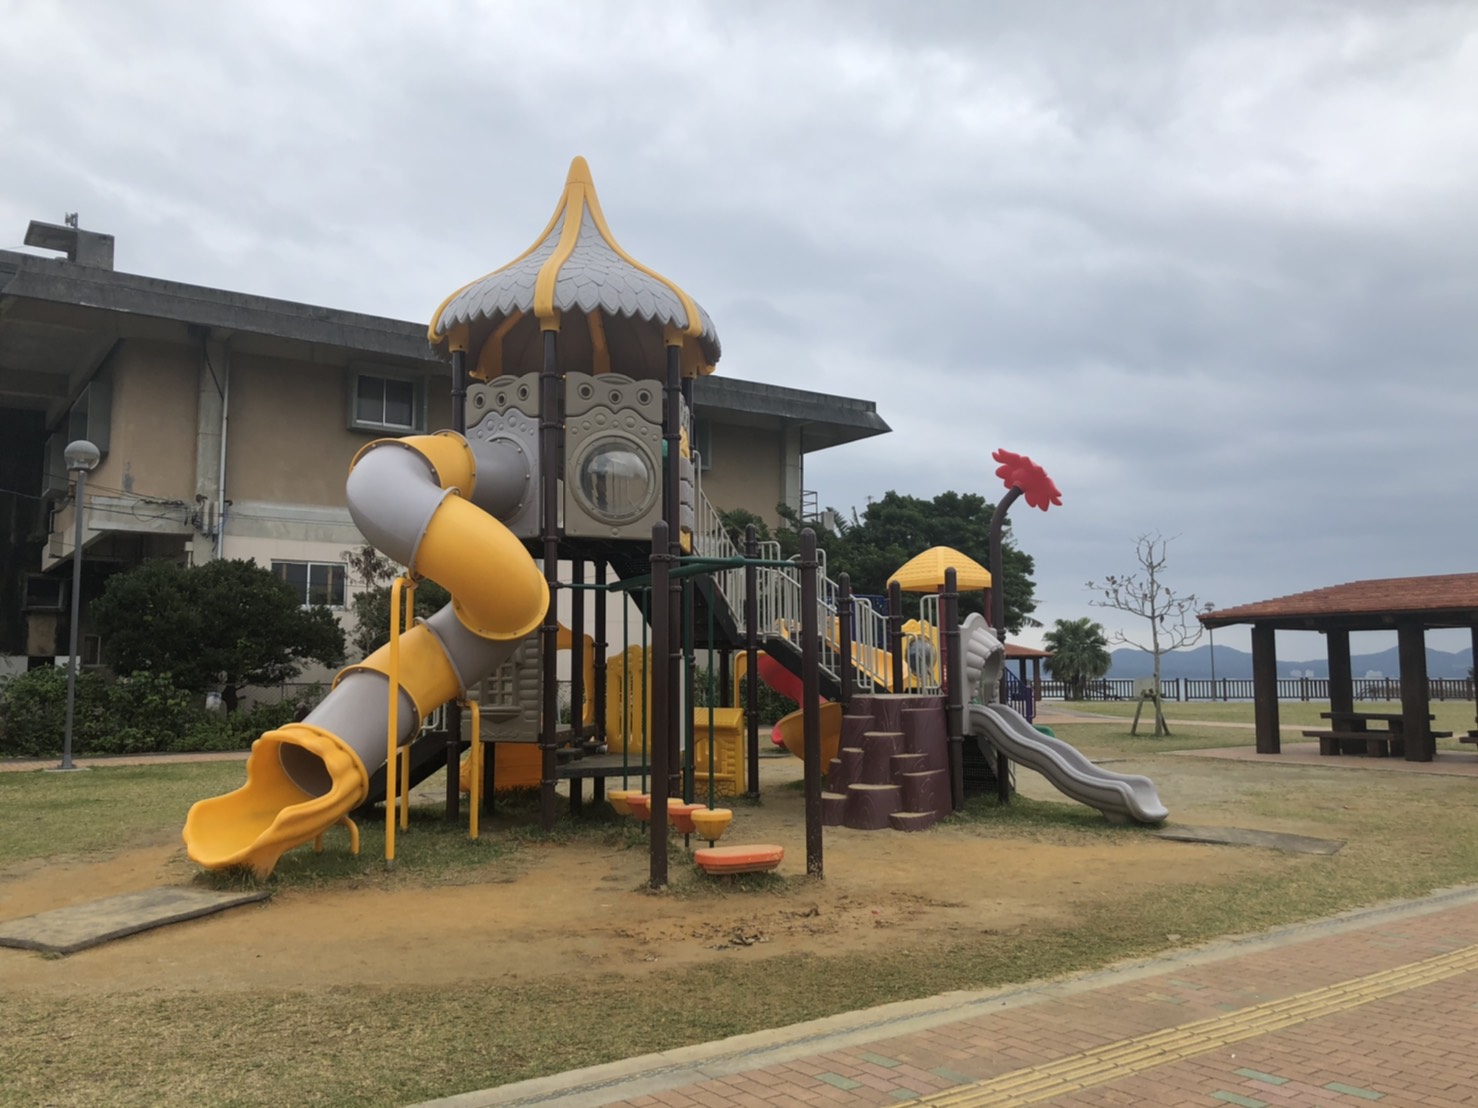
x,y
1365,602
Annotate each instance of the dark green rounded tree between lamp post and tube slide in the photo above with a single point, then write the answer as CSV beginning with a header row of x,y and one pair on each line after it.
x,y
222,626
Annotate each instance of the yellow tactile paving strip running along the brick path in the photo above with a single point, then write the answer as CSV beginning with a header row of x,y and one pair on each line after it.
x,y
1143,1053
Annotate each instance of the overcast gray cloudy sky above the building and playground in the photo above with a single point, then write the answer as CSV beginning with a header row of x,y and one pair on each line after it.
x,y
1211,265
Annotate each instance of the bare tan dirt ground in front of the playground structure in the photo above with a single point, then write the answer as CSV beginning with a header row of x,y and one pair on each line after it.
x,y
568,906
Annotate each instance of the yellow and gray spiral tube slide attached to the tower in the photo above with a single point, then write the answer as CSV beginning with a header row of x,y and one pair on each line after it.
x,y
431,503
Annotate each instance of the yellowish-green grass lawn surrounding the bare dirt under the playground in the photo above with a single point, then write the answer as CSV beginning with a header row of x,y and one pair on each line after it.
x,y
378,1044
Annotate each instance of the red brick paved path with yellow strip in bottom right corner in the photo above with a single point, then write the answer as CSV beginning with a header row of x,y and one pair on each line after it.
x,y
1378,1007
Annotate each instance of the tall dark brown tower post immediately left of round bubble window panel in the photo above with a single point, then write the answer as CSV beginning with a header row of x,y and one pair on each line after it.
x,y
549,528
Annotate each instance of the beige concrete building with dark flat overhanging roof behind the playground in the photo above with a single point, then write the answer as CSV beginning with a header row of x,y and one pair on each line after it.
x,y
227,425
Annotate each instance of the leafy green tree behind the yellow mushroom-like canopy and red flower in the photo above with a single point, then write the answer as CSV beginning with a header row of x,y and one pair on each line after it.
x,y
896,528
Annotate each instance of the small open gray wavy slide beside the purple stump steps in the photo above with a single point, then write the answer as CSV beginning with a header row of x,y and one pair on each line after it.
x,y
1117,796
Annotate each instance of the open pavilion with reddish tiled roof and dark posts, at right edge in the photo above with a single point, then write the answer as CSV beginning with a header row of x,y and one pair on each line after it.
x,y
1409,606
